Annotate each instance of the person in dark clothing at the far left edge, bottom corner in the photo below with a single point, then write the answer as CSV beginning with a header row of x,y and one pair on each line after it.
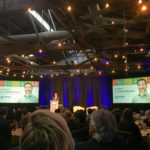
x,y
5,129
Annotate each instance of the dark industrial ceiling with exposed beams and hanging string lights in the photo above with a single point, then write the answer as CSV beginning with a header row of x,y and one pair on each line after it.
x,y
48,38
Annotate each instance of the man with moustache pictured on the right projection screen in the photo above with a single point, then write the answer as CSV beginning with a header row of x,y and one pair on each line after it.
x,y
143,96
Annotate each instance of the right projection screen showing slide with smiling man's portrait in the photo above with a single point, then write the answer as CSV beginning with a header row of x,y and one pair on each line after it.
x,y
131,90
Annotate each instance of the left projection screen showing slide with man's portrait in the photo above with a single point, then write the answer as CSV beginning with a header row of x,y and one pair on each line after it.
x,y
19,91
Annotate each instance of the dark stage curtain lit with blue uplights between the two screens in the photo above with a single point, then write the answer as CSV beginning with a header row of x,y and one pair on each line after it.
x,y
83,91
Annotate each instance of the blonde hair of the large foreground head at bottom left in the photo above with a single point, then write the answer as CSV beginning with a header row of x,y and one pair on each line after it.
x,y
46,131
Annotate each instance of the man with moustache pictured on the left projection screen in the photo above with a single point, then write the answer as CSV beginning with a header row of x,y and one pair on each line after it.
x,y
28,97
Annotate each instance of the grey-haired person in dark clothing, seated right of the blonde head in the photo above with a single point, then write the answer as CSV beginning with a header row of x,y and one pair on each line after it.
x,y
103,129
